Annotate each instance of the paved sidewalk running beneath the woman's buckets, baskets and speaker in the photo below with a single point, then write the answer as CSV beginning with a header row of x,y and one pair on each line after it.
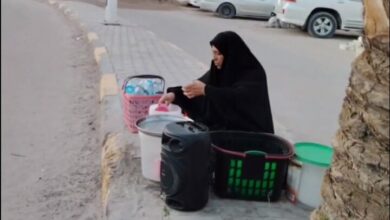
x,y
134,50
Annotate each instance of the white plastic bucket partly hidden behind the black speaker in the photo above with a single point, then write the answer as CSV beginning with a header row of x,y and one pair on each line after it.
x,y
150,131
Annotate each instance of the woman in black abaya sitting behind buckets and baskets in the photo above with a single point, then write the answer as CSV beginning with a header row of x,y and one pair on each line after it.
x,y
232,95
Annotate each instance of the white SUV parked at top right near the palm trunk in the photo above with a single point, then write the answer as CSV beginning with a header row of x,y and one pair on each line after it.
x,y
321,18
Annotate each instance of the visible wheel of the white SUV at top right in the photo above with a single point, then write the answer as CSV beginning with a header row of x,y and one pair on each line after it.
x,y
322,25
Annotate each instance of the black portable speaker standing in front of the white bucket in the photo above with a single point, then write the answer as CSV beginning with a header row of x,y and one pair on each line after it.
x,y
185,163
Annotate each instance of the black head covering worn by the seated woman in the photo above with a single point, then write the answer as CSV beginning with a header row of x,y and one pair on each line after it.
x,y
239,62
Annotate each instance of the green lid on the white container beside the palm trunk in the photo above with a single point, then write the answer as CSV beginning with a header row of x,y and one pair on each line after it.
x,y
313,153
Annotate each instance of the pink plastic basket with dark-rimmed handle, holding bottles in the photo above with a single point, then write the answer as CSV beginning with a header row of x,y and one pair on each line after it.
x,y
136,107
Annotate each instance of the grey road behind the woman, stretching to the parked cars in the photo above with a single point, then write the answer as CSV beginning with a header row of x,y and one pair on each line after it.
x,y
307,77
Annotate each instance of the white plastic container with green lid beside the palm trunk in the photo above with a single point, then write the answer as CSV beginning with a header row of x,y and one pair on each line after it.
x,y
306,173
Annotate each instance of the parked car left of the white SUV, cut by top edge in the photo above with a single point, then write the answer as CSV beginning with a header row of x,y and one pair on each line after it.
x,y
242,8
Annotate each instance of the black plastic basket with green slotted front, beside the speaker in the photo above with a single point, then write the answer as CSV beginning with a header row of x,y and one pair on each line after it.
x,y
250,166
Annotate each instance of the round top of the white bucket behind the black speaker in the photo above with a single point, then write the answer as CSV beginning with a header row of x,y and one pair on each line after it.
x,y
155,124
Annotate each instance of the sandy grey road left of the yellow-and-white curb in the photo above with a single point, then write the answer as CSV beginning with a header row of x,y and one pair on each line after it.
x,y
50,151
